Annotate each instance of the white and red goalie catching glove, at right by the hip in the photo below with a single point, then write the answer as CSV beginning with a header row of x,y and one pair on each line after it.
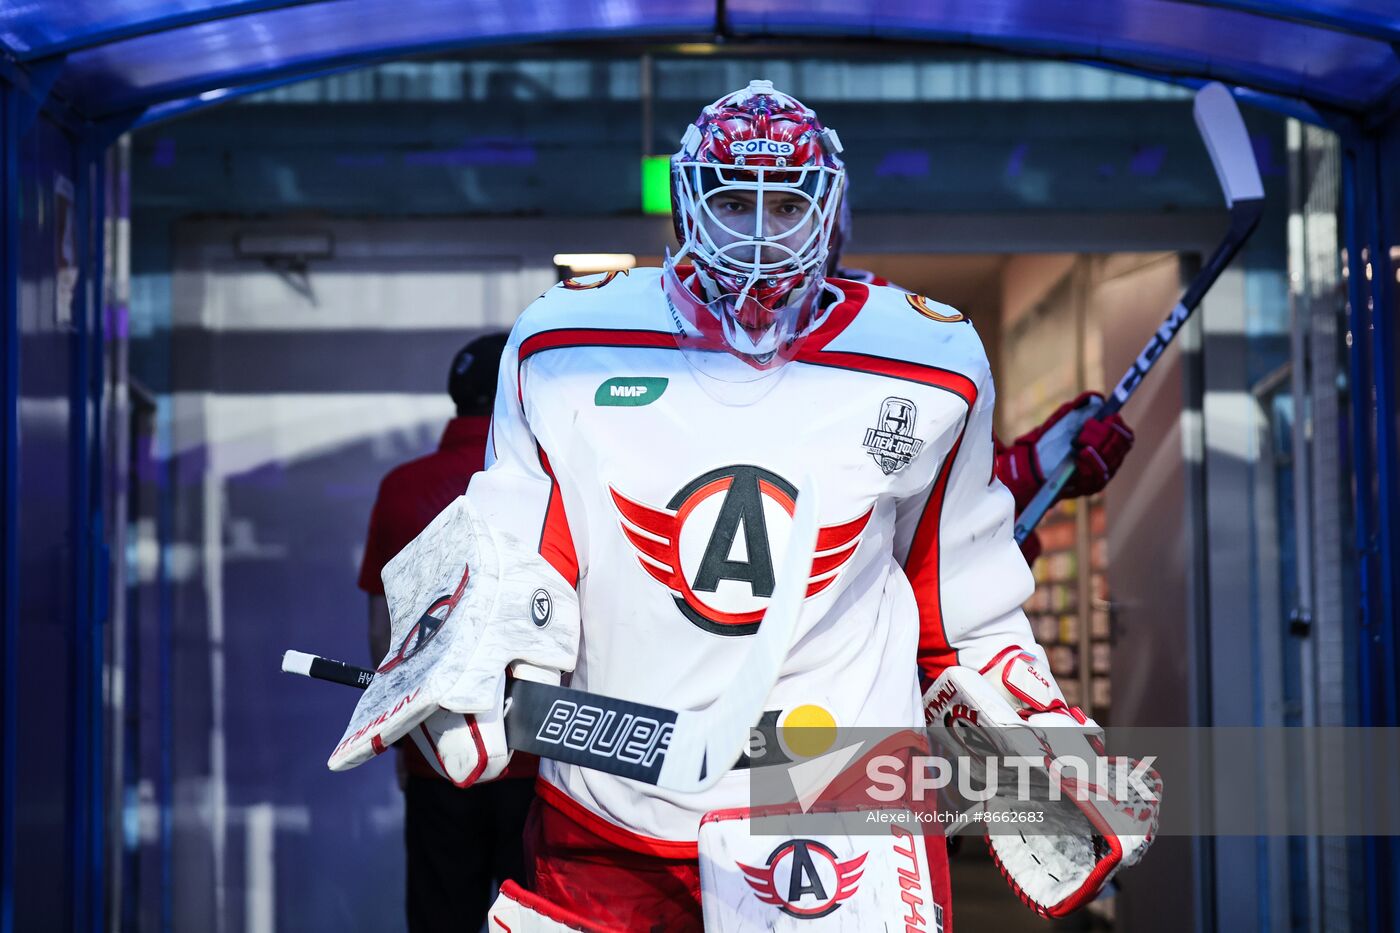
x,y
1080,824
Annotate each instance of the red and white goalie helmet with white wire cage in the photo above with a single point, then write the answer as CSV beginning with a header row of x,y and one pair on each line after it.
x,y
757,190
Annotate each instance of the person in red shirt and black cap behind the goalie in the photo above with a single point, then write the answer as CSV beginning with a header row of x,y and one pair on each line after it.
x,y
458,841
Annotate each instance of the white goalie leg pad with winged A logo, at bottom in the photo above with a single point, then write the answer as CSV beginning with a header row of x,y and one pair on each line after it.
x,y
808,883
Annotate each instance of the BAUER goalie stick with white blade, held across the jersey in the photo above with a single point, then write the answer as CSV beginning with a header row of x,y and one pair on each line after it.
x,y
687,750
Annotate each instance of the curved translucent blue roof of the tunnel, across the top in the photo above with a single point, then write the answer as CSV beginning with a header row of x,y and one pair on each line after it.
x,y
104,60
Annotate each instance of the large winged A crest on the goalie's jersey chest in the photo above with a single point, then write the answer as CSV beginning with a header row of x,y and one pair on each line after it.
x,y
716,544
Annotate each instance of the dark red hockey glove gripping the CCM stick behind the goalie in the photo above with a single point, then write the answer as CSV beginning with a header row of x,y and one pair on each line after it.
x,y
1100,449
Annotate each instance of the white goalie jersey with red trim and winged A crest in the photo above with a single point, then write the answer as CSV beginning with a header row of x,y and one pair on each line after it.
x,y
666,495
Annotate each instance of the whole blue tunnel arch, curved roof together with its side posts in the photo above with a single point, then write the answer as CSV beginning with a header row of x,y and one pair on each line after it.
x,y
78,74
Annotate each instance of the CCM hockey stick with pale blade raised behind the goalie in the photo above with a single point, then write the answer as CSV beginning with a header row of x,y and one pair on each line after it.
x,y
1223,131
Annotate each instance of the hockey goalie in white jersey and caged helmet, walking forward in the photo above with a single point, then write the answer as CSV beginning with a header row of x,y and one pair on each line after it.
x,y
652,438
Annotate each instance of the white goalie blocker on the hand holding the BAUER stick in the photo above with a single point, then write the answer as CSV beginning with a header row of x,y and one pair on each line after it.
x,y
465,603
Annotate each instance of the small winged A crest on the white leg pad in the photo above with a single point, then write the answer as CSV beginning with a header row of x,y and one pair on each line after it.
x,y
804,879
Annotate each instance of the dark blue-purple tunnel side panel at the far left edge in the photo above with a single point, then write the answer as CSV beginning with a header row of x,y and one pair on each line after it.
x,y
44,803
